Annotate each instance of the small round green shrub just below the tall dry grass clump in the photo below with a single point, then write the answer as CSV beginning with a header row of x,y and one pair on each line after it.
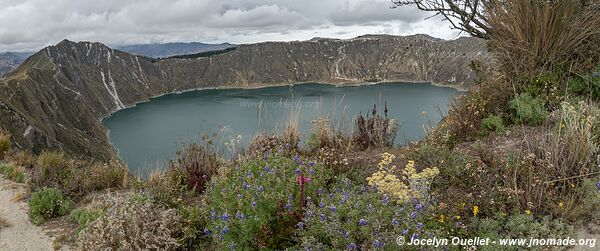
x,y
528,110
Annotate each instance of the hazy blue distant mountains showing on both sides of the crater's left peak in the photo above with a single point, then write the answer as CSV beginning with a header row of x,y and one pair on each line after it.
x,y
10,60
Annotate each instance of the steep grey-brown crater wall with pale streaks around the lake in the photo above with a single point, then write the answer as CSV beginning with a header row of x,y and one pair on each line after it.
x,y
58,97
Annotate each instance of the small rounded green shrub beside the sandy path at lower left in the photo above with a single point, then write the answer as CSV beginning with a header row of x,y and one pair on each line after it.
x,y
46,204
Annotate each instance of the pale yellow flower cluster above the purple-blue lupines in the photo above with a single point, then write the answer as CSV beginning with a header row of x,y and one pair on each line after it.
x,y
412,184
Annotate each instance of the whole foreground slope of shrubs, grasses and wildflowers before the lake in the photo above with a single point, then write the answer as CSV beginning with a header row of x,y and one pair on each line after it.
x,y
518,156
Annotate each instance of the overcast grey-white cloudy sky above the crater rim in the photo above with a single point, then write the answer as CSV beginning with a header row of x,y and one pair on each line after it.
x,y
33,24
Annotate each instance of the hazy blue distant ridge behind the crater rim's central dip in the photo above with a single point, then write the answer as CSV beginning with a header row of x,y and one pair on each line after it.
x,y
171,49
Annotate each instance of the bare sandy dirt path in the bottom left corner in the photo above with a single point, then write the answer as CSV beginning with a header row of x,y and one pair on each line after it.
x,y
21,234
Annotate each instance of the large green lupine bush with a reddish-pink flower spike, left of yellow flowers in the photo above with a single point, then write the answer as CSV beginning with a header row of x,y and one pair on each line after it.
x,y
257,204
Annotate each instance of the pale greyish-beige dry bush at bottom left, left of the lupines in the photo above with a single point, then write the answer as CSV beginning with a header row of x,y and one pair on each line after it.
x,y
131,223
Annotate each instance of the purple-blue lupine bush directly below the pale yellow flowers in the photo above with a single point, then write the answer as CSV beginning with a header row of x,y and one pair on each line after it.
x,y
351,217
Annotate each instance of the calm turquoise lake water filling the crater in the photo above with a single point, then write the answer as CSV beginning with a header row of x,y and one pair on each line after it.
x,y
149,134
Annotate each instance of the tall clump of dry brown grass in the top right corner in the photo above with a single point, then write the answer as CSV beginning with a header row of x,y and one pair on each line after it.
x,y
531,37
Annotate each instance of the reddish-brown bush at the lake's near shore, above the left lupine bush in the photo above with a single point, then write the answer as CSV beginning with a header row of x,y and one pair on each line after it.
x,y
197,164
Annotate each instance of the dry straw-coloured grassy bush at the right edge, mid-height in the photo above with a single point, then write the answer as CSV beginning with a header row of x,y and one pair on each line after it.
x,y
559,162
